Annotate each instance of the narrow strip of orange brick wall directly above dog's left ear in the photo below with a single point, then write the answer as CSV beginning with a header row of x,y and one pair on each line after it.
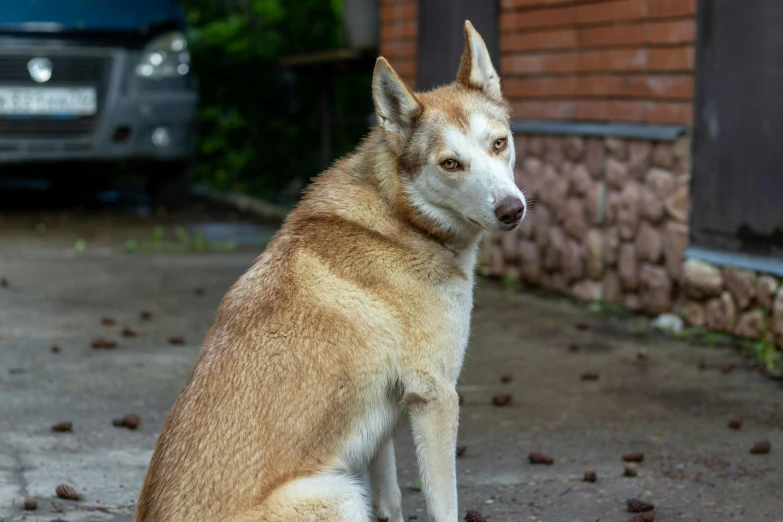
x,y
398,36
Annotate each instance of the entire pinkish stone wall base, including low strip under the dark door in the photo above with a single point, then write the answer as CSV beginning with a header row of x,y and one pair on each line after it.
x,y
609,223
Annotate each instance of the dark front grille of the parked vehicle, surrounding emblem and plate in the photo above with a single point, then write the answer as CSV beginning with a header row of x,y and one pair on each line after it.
x,y
67,71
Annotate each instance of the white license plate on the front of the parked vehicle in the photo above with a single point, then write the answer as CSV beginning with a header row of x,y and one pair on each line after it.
x,y
48,101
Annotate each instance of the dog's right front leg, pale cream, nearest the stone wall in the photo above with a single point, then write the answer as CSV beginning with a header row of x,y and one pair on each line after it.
x,y
434,412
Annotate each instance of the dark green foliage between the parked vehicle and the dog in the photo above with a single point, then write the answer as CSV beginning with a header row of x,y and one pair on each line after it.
x,y
258,124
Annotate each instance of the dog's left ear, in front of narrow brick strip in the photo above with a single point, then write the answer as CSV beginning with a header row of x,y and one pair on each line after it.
x,y
395,105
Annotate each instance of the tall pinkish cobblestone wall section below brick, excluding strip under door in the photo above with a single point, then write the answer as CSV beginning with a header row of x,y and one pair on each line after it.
x,y
609,220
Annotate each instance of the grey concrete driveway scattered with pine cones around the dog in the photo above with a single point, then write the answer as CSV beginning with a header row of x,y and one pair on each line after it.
x,y
659,402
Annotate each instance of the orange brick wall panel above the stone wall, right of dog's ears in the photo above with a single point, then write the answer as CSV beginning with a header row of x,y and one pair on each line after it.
x,y
599,60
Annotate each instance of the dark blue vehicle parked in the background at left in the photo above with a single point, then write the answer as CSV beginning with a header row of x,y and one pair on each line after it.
x,y
91,83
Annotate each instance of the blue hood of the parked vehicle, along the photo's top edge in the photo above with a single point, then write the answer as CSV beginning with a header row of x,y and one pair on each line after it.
x,y
88,15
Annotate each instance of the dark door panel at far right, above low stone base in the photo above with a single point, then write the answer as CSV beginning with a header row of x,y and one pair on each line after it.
x,y
737,186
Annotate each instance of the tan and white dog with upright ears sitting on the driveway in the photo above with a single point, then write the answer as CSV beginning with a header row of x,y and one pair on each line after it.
x,y
356,315
